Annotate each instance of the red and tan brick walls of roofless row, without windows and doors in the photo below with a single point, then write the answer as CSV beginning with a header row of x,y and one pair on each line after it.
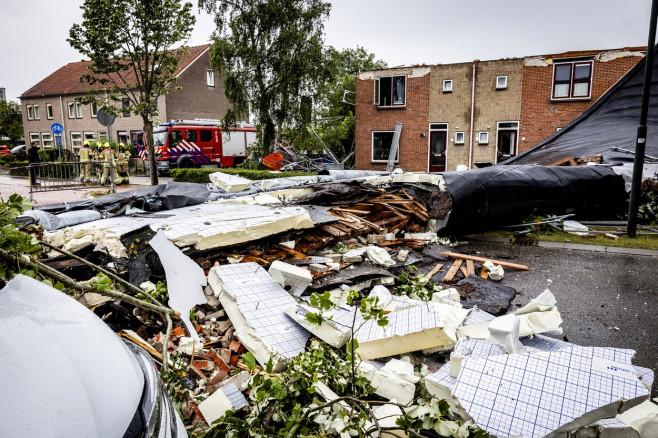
x,y
525,103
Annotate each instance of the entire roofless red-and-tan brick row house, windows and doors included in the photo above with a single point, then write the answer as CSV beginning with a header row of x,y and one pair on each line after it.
x,y
478,112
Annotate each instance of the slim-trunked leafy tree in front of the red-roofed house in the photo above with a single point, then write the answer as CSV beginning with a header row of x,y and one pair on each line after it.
x,y
129,43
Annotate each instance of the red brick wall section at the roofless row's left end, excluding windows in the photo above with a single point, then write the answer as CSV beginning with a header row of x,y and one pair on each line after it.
x,y
414,116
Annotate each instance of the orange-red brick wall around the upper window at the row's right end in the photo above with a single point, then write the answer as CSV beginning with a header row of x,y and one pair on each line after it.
x,y
541,116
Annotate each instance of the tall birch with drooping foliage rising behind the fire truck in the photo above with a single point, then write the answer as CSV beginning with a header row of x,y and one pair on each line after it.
x,y
271,53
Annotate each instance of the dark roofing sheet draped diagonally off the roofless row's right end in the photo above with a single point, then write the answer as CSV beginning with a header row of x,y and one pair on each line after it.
x,y
610,122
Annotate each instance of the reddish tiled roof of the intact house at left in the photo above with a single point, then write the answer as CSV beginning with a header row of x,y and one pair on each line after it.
x,y
66,80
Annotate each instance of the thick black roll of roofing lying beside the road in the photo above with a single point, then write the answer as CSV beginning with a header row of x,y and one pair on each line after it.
x,y
502,195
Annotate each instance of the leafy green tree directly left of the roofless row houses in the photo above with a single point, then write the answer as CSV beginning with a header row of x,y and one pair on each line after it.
x,y
334,115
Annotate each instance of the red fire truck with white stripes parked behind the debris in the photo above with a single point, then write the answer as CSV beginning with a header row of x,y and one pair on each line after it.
x,y
197,143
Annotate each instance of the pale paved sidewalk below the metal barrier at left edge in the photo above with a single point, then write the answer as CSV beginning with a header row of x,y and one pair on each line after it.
x,y
21,186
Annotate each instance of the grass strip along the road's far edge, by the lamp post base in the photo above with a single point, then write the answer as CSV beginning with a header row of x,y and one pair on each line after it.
x,y
639,242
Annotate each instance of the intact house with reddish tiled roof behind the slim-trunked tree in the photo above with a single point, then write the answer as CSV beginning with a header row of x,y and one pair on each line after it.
x,y
53,100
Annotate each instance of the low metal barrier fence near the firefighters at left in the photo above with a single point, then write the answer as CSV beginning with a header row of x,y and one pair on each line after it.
x,y
69,175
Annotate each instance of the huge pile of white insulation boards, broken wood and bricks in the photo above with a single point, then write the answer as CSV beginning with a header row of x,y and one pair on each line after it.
x,y
260,279
